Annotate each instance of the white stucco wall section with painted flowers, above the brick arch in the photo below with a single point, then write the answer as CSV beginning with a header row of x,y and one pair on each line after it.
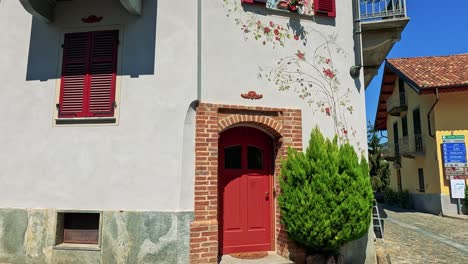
x,y
230,63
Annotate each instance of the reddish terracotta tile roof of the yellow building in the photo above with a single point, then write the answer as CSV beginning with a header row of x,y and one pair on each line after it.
x,y
434,72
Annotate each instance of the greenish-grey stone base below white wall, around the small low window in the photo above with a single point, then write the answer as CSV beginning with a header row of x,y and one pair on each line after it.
x,y
29,236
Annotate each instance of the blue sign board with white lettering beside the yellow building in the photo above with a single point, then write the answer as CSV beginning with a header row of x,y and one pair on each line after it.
x,y
454,156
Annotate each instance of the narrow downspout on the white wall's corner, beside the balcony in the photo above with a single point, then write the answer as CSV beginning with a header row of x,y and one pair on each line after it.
x,y
355,70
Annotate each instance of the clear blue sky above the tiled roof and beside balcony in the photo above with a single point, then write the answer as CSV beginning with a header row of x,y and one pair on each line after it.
x,y
435,28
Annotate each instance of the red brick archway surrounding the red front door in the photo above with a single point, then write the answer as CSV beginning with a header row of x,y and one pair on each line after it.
x,y
284,125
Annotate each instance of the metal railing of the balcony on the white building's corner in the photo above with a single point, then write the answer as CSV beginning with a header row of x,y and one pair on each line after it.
x,y
382,9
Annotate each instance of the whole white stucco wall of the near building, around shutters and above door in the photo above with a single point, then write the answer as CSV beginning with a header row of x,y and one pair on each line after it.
x,y
145,162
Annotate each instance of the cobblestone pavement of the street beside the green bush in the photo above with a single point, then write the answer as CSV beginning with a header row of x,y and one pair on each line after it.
x,y
416,245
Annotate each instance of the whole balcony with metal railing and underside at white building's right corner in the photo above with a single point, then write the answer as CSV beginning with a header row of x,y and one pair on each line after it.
x,y
382,22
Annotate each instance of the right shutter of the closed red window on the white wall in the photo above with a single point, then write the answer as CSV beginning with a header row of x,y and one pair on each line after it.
x,y
103,69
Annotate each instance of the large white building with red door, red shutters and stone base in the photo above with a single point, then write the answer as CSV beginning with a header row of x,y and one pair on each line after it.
x,y
144,131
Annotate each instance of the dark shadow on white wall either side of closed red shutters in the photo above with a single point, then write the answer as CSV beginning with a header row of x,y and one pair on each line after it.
x,y
138,51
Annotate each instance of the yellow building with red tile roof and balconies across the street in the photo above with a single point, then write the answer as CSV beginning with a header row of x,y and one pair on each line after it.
x,y
421,100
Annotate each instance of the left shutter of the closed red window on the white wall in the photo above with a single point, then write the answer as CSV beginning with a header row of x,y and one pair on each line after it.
x,y
74,74
